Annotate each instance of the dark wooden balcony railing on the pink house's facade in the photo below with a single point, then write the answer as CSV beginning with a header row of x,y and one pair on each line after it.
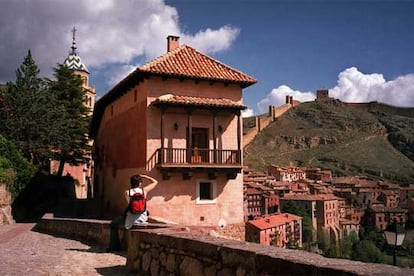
x,y
183,157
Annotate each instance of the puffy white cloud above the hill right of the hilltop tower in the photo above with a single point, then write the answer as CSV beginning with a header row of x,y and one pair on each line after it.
x,y
354,86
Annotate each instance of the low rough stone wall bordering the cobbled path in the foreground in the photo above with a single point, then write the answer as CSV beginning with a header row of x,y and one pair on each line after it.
x,y
156,249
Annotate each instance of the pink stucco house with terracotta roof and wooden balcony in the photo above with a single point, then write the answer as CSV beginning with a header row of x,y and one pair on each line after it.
x,y
178,119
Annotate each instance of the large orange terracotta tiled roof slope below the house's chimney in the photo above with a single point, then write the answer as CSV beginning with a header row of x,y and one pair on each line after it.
x,y
187,62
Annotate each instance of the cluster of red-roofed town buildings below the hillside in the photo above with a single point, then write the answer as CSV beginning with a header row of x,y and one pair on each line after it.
x,y
336,206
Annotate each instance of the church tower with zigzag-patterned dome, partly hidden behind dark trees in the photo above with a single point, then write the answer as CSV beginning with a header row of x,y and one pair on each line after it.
x,y
82,173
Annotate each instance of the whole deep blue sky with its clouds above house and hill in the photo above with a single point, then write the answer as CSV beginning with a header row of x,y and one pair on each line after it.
x,y
360,51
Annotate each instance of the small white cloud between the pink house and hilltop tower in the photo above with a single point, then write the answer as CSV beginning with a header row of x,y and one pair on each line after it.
x,y
278,95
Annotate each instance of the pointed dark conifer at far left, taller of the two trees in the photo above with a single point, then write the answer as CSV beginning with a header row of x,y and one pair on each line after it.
x,y
29,113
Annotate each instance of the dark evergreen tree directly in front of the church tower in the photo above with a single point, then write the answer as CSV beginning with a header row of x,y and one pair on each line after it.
x,y
72,144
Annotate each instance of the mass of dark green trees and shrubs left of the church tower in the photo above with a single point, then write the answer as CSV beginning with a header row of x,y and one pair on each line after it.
x,y
40,120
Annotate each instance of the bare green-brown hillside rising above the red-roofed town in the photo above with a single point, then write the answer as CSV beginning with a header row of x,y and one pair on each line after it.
x,y
373,139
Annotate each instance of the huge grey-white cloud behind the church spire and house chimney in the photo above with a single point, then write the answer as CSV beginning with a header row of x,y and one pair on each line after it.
x,y
109,32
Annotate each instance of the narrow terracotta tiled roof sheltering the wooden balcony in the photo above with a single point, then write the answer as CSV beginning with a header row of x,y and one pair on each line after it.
x,y
198,101
